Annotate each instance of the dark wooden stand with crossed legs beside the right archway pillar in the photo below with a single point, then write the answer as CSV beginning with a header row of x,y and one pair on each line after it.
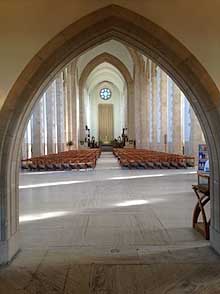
x,y
202,191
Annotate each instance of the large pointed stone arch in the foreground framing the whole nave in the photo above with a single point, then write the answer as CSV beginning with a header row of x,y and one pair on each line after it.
x,y
112,22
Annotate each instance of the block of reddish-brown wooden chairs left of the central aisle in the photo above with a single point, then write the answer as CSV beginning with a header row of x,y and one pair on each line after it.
x,y
68,160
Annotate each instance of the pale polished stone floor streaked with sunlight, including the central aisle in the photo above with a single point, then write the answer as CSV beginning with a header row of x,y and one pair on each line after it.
x,y
110,231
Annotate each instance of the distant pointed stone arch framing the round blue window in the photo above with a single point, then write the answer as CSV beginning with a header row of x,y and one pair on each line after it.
x,y
111,59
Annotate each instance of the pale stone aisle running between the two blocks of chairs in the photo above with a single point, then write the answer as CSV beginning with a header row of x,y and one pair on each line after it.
x,y
107,161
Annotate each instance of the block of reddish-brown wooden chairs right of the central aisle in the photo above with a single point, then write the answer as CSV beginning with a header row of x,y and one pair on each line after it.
x,y
149,159
